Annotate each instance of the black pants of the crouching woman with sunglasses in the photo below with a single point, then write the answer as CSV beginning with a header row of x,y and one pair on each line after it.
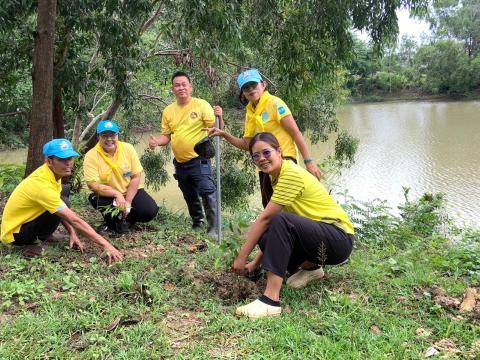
x,y
292,239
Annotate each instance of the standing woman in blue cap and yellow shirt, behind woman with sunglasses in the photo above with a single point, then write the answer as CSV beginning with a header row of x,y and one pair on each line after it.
x,y
265,112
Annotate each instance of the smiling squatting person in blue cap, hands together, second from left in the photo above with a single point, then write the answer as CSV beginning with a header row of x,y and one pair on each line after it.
x,y
113,172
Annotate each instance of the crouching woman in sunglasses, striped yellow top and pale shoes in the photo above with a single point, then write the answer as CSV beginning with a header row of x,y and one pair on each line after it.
x,y
301,229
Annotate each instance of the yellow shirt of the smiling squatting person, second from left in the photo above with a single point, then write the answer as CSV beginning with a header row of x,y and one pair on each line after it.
x,y
97,170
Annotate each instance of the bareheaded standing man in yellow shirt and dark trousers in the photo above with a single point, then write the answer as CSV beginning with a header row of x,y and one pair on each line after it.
x,y
182,124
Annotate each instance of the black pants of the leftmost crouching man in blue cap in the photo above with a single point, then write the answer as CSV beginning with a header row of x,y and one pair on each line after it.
x,y
43,226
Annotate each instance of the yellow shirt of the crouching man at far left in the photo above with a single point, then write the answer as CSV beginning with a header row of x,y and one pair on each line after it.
x,y
37,193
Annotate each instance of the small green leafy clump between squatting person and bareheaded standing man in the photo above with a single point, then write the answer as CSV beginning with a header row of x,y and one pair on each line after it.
x,y
154,166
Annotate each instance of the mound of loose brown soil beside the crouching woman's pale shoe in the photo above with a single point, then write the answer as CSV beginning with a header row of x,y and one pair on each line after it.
x,y
231,288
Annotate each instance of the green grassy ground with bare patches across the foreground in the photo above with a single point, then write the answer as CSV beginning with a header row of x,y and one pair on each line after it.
x,y
167,299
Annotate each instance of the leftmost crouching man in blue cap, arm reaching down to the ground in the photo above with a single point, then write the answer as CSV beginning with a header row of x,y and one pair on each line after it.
x,y
35,208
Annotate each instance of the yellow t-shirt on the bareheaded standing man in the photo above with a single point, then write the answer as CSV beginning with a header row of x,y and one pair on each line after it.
x,y
184,124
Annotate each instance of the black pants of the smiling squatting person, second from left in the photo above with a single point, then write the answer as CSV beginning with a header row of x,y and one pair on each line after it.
x,y
144,208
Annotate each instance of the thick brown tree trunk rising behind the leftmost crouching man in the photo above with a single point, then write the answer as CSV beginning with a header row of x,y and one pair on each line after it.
x,y
41,129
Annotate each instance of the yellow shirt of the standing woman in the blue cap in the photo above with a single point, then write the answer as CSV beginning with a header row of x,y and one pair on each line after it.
x,y
275,110
